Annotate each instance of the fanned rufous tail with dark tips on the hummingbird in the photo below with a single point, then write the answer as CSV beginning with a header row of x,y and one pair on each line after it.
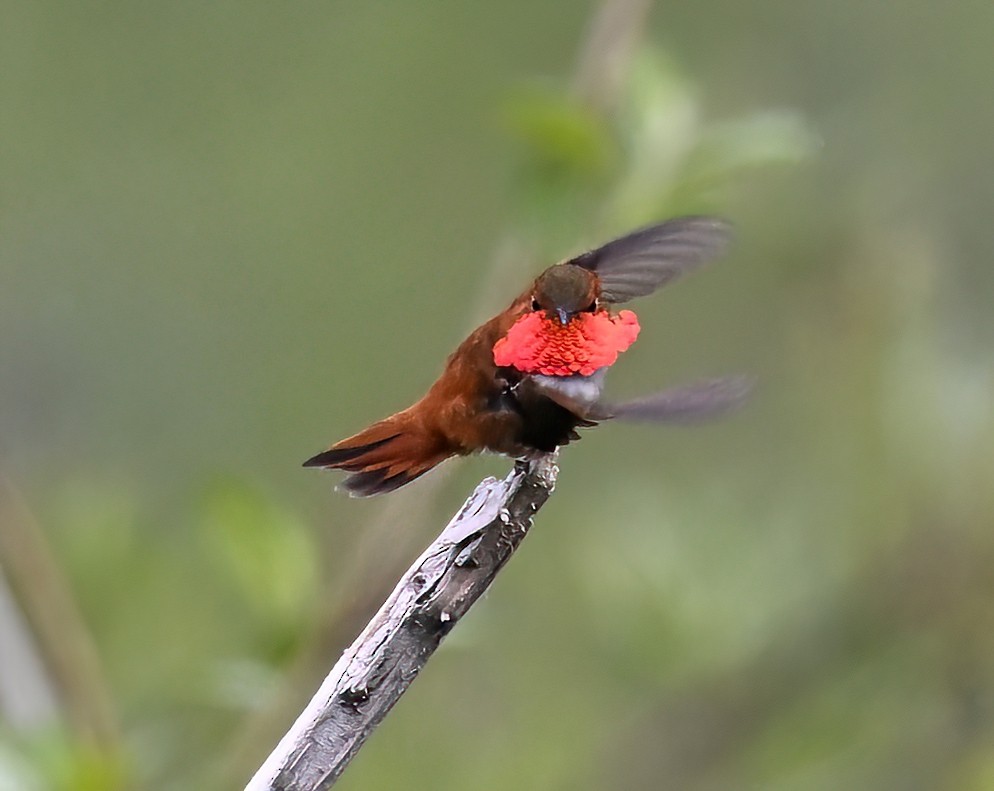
x,y
383,457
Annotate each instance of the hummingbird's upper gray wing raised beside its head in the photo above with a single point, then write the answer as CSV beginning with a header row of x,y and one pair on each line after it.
x,y
644,260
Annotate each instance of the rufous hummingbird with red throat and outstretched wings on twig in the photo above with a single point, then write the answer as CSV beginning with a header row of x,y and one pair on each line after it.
x,y
525,381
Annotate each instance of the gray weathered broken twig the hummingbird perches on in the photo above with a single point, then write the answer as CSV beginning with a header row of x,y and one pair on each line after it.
x,y
429,600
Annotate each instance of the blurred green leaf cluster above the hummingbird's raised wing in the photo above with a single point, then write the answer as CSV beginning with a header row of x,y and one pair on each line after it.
x,y
657,155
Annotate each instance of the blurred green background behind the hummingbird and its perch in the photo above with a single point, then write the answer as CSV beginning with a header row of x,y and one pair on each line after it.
x,y
231,233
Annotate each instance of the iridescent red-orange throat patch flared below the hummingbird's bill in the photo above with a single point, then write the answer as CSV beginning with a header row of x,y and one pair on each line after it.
x,y
537,344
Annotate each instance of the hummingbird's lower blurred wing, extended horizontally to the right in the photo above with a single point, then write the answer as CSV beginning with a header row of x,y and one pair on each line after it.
x,y
698,401
